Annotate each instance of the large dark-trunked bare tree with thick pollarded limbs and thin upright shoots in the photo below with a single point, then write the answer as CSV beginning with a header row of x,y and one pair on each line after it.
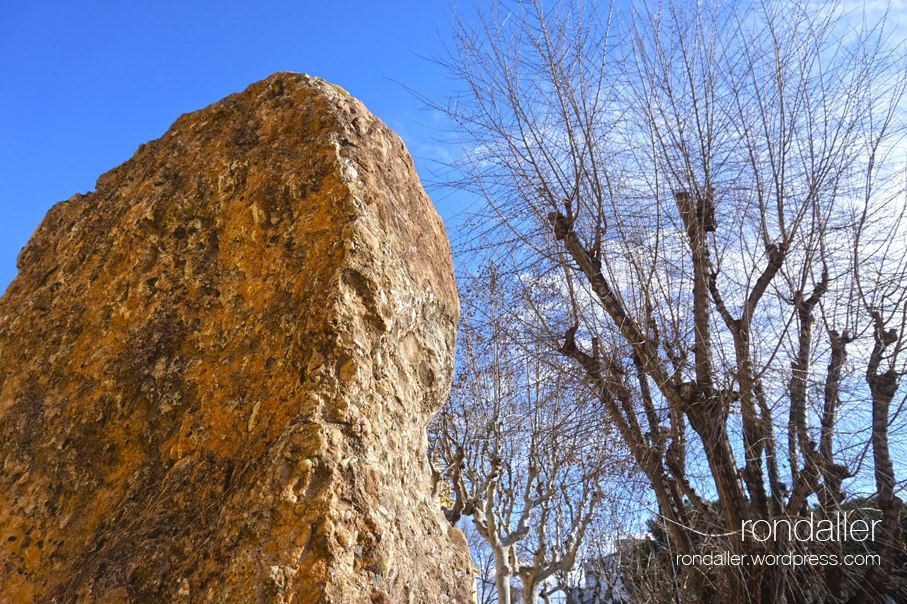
x,y
702,203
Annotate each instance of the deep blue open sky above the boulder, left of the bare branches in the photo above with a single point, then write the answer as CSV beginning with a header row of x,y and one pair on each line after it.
x,y
83,84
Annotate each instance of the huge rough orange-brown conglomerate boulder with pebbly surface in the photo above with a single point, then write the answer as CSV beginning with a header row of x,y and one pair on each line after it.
x,y
216,369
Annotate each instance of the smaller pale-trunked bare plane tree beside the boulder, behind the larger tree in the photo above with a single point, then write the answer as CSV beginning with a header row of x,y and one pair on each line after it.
x,y
521,454
